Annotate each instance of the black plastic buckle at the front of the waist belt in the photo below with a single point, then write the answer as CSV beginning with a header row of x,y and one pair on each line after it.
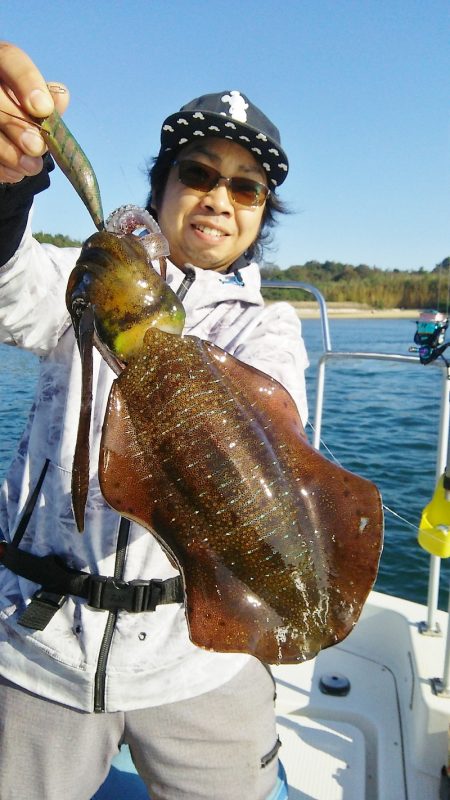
x,y
108,594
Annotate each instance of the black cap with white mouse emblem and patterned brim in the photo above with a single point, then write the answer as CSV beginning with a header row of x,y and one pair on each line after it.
x,y
229,115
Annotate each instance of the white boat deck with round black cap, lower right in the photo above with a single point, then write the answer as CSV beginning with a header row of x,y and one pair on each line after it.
x,y
367,743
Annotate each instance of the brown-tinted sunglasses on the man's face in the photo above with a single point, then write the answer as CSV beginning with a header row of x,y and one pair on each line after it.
x,y
203,178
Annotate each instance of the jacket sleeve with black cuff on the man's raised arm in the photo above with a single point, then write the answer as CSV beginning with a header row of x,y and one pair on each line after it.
x,y
33,277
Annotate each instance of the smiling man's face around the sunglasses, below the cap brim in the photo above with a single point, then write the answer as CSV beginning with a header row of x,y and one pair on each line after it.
x,y
207,229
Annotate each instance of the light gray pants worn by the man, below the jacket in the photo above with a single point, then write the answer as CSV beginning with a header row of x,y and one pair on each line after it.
x,y
210,747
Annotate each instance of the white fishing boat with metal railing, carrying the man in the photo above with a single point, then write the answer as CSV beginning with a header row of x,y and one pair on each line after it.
x,y
367,719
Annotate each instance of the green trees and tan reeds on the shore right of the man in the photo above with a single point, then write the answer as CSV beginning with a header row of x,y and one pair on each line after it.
x,y
371,286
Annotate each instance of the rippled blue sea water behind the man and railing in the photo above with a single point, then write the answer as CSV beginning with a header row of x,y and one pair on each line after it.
x,y
380,420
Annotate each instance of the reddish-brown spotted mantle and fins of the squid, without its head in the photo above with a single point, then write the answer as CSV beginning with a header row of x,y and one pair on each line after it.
x,y
278,547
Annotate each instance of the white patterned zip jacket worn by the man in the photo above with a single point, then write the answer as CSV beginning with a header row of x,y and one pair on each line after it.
x,y
147,659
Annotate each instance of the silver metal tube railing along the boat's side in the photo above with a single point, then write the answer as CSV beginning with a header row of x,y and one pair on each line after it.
x,y
430,627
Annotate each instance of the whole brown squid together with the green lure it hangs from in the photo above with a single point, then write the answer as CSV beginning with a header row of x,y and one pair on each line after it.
x,y
277,546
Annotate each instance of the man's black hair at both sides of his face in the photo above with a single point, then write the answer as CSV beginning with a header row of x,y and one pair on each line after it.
x,y
158,174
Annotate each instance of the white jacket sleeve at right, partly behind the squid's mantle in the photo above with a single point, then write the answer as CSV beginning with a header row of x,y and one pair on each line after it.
x,y
276,347
